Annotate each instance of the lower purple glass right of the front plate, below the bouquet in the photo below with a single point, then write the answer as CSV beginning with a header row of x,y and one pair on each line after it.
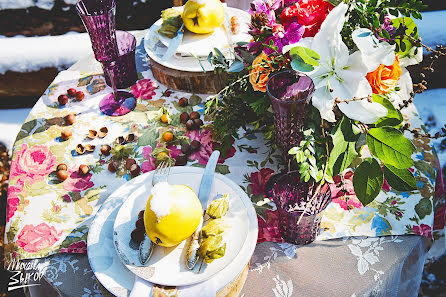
x,y
291,198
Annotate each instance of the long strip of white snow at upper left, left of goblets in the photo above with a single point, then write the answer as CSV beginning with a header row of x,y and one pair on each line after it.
x,y
23,54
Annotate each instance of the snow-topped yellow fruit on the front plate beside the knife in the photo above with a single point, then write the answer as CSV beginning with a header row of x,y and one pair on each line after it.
x,y
172,214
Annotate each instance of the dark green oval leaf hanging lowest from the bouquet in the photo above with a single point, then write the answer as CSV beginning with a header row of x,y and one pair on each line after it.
x,y
368,181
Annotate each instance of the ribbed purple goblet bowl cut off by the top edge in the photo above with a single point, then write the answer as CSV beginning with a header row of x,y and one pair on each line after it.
x,y
98,17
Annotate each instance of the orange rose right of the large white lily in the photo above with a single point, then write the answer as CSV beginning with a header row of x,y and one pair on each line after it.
x,y
385,78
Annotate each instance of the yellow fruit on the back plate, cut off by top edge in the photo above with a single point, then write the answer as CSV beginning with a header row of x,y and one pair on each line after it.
x,y
203,16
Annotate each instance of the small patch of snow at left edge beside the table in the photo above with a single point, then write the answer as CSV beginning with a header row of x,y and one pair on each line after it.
x,y
10,122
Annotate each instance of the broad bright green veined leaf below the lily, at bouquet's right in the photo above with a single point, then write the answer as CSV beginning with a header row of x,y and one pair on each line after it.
x,y
390,146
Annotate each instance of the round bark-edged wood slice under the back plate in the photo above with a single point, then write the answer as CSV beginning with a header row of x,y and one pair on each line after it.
x,y
191,82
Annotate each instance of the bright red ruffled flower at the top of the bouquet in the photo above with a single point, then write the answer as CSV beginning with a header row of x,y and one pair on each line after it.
x,y
308,13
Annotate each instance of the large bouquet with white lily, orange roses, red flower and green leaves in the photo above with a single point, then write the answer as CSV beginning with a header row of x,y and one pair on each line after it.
x,y
356,53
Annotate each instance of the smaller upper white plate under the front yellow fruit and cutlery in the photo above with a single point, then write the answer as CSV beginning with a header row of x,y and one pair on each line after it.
x,y
167,266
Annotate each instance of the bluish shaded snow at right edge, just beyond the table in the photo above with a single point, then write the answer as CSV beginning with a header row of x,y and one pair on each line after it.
x,y
431,105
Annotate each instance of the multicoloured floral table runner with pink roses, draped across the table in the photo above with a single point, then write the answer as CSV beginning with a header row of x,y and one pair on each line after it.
x,y
46,216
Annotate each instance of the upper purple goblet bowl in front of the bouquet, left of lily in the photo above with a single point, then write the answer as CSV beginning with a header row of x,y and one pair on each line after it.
x,y
290,93
